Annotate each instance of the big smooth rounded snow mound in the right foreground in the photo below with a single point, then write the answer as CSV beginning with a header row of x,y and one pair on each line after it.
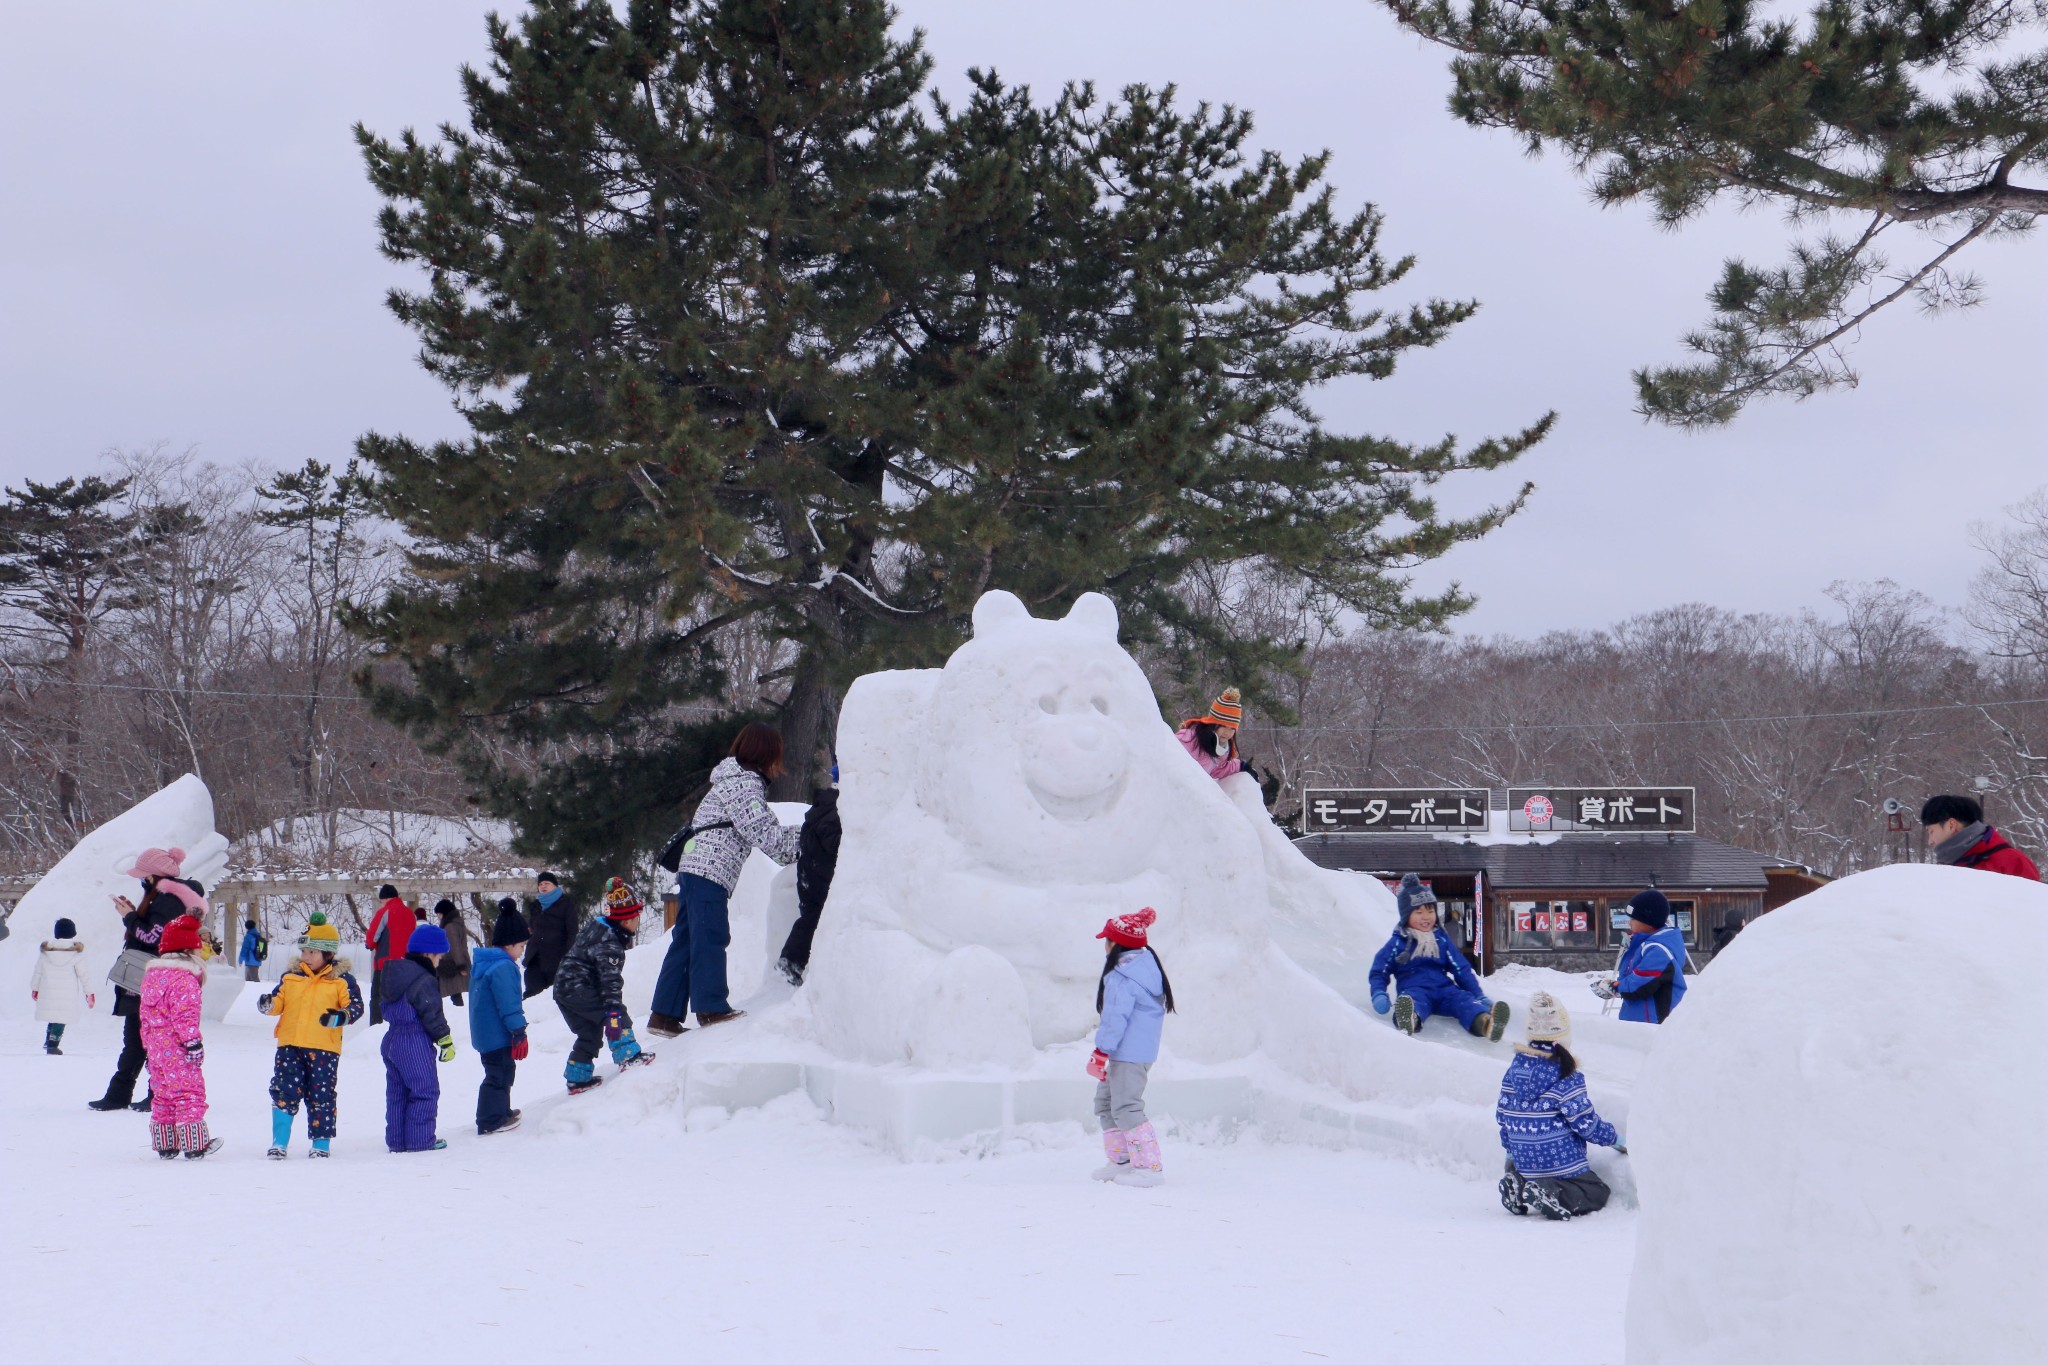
x,y
1838,1137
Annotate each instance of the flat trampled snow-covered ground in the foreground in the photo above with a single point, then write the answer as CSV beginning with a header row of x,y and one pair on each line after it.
x,y
613,1229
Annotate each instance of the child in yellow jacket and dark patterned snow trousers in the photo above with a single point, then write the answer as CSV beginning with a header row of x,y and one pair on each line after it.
x,y
312,1002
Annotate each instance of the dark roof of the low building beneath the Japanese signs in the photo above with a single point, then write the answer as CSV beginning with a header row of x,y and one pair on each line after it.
x,y
1574,863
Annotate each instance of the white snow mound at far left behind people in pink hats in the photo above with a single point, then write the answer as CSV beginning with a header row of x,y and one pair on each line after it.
x,y
85,883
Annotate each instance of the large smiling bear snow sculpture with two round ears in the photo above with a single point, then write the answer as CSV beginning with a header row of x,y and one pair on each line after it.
x,y
1000,809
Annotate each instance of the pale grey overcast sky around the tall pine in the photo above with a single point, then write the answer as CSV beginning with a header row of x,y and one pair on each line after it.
x,y
187,255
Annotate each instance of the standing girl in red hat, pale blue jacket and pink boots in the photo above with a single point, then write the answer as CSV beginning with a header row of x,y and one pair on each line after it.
x,y
1134,1000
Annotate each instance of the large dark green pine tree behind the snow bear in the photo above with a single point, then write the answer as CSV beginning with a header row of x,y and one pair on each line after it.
x,y
749,333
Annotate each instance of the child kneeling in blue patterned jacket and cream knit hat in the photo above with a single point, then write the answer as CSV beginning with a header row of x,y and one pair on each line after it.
x,y
1547,1118
